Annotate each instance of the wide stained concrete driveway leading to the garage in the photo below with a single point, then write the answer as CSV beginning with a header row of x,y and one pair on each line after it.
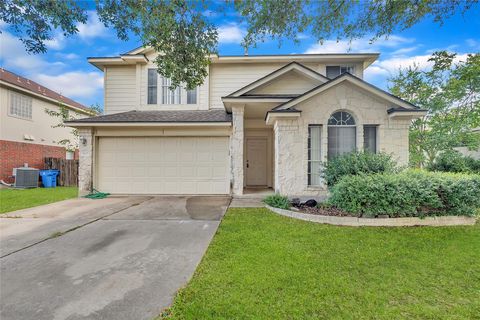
x,y
115,258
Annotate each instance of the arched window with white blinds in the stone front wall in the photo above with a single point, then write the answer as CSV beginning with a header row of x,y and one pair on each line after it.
x,y
342,134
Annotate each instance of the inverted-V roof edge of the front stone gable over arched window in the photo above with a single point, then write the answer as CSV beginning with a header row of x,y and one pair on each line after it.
x,y
347,77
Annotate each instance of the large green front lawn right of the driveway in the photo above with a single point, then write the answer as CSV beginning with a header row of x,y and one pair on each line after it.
x,y
264,266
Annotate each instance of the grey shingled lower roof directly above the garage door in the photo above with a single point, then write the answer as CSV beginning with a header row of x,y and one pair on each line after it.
x,y
186,116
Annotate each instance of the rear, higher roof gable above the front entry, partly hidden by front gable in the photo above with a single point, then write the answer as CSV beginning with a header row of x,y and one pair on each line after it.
x,y
275,82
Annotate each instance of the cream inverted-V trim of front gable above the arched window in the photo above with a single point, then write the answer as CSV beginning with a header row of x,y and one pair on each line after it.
x,y
353,80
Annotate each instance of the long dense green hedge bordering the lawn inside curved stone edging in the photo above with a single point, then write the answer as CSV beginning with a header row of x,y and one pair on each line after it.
x,y
410,193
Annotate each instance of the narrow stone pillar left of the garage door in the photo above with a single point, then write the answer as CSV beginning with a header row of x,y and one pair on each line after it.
x,y
85,161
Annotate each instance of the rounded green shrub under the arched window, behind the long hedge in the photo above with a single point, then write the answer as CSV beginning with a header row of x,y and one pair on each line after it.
x,y
356,163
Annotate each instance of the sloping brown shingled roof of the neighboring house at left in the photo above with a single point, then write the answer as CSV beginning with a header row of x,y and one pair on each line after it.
x,y
36,88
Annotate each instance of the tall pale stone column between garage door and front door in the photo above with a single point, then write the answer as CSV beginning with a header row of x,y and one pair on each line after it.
x,y
236,149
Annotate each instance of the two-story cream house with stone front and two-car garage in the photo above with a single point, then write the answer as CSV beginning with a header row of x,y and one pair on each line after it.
x,y
256,122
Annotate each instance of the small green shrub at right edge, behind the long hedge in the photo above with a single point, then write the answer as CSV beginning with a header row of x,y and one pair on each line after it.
x,y
454,161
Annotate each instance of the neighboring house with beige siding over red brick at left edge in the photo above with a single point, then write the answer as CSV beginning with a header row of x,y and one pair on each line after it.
x,y
26,133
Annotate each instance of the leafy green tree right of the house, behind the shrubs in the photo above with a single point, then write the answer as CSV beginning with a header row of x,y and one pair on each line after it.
x,y
450,92
